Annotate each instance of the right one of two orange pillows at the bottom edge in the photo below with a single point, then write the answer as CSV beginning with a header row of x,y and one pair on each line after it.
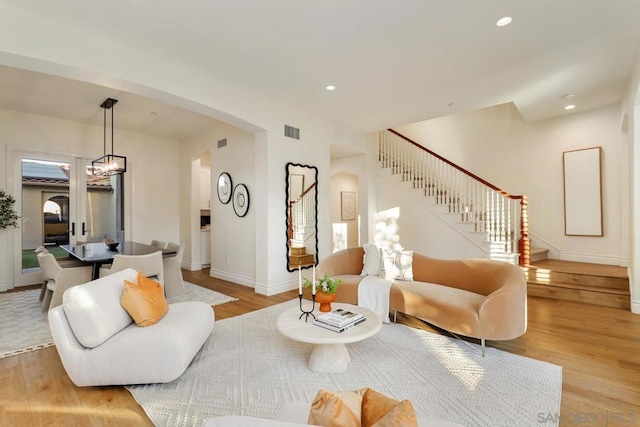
x,y
379,410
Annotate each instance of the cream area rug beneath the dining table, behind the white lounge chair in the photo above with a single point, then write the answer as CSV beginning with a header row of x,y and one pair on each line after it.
x,y
24,327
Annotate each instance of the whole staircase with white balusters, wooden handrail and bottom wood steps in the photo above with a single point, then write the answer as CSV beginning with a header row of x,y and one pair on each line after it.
x,y
501,220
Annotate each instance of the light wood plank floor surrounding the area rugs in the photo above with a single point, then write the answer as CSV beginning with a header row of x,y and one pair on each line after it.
x,y
598,348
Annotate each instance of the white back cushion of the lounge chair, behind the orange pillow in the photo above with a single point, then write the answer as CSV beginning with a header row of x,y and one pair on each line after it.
x,y
94,311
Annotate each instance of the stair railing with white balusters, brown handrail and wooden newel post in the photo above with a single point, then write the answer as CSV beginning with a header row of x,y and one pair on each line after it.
x,y
479,208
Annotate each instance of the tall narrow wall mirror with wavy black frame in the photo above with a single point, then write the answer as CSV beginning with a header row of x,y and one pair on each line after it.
x,y
302,216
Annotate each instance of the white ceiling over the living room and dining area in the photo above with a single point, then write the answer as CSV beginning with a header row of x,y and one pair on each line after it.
x,y
393,63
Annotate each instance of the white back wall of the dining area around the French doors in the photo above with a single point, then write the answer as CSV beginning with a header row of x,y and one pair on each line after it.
x,y
152,183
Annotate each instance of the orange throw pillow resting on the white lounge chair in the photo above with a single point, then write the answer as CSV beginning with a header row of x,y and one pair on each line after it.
x,y
144,301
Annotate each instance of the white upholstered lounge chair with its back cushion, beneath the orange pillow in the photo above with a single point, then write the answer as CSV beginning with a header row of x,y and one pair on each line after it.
x,y
99,343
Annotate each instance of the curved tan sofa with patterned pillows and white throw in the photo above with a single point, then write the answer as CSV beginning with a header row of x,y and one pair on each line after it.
x,y
477,298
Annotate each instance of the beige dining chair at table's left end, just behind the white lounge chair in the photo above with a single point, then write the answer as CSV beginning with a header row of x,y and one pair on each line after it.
x,y
59,279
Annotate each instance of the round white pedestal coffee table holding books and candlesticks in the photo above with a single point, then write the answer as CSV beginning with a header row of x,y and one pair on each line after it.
x,y
329,354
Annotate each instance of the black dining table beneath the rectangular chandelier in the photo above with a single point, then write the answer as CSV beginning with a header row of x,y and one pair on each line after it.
x,y
98,253
